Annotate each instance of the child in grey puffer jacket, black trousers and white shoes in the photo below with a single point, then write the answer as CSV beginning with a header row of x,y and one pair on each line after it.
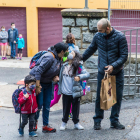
x,y
69,86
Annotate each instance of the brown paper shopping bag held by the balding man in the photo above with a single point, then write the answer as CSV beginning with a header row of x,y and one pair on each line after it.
x,y
108,92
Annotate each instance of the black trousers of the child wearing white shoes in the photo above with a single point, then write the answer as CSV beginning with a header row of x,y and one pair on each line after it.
x,y
67,101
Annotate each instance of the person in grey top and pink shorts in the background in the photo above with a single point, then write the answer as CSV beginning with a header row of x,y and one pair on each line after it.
x,y
3,42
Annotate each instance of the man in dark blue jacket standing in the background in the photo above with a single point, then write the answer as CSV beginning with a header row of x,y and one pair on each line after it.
x,y
12,37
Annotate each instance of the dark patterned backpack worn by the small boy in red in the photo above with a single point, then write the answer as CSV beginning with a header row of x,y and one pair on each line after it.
x,y
15,99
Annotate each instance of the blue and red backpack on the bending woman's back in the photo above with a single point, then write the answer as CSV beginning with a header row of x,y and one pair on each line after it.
x,y
36,58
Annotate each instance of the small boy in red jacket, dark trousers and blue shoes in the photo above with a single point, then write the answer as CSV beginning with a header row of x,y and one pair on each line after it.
x,y
27,100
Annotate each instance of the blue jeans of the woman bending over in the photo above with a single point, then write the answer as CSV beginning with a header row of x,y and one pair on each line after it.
x,y
44,99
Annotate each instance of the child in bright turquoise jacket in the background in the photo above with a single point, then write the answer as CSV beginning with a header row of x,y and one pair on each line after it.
x,y
21,45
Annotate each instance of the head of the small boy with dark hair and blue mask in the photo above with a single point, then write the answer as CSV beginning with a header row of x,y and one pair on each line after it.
x,y
30,82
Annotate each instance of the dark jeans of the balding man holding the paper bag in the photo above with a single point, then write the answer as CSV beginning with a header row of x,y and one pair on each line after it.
x,y
99,113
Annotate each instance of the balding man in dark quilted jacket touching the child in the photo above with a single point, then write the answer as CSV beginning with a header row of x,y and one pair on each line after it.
x,y
113,52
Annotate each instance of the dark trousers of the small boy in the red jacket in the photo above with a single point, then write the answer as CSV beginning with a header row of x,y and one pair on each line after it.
x,y
25,121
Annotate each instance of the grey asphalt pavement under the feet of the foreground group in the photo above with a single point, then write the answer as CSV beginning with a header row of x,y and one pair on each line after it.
x,y
129,116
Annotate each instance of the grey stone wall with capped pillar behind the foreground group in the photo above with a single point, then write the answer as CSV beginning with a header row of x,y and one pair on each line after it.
x,y
82,24
